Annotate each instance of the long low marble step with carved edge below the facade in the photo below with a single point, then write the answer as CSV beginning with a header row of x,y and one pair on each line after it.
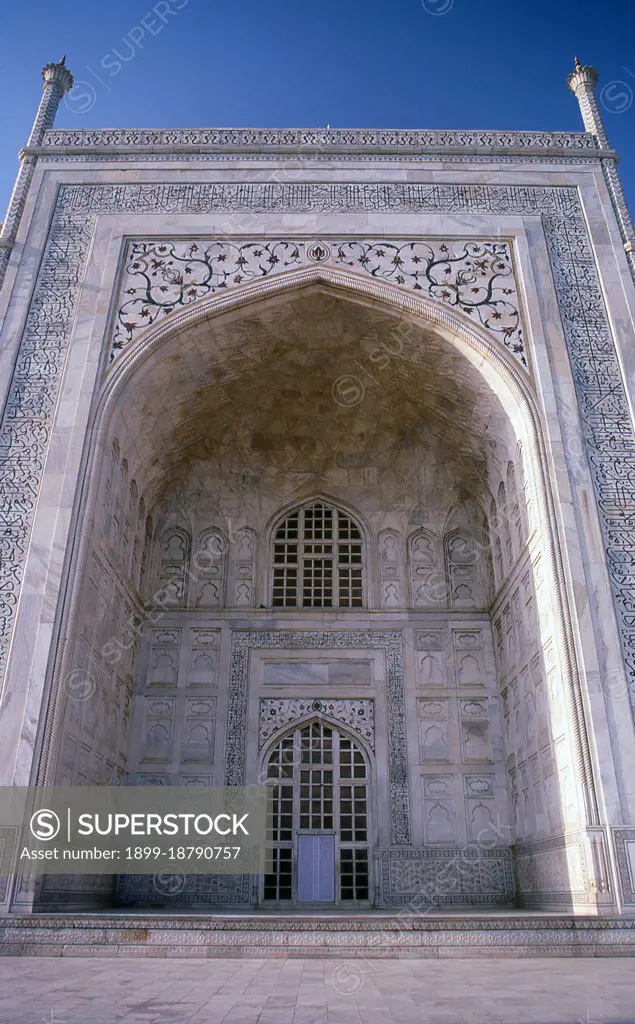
x,y
337,935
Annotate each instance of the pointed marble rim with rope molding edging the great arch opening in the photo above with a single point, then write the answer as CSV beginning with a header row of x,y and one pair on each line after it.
x,y
175,338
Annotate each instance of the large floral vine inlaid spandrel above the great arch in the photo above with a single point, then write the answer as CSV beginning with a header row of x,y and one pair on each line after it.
x,y
476,278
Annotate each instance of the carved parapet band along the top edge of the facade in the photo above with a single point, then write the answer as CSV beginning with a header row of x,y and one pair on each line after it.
x,y
307,141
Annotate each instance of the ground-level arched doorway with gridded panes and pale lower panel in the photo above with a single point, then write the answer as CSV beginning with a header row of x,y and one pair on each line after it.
x,y
319,835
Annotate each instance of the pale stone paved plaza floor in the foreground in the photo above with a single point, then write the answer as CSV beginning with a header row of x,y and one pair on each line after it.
x,y
100,991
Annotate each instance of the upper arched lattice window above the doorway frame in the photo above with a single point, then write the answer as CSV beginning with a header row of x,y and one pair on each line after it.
x,y
318,561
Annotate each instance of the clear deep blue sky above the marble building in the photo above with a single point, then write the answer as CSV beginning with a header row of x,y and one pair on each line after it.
x,y
459,64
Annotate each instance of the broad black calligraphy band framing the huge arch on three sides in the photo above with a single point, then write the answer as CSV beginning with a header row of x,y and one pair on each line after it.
x,y
35,387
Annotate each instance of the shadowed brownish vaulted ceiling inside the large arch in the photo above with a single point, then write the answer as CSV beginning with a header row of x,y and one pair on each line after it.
x,y
301,386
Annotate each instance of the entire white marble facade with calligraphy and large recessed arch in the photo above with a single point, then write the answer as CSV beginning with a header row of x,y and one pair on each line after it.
x,y
197,346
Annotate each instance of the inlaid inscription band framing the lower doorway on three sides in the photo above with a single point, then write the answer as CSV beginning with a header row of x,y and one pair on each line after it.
x,y
391,644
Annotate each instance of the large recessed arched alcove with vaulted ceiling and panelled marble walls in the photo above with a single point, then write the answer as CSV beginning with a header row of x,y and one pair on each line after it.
x,y
203,437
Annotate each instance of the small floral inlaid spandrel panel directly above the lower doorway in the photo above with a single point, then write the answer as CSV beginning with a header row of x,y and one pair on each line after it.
x,y
357,715
